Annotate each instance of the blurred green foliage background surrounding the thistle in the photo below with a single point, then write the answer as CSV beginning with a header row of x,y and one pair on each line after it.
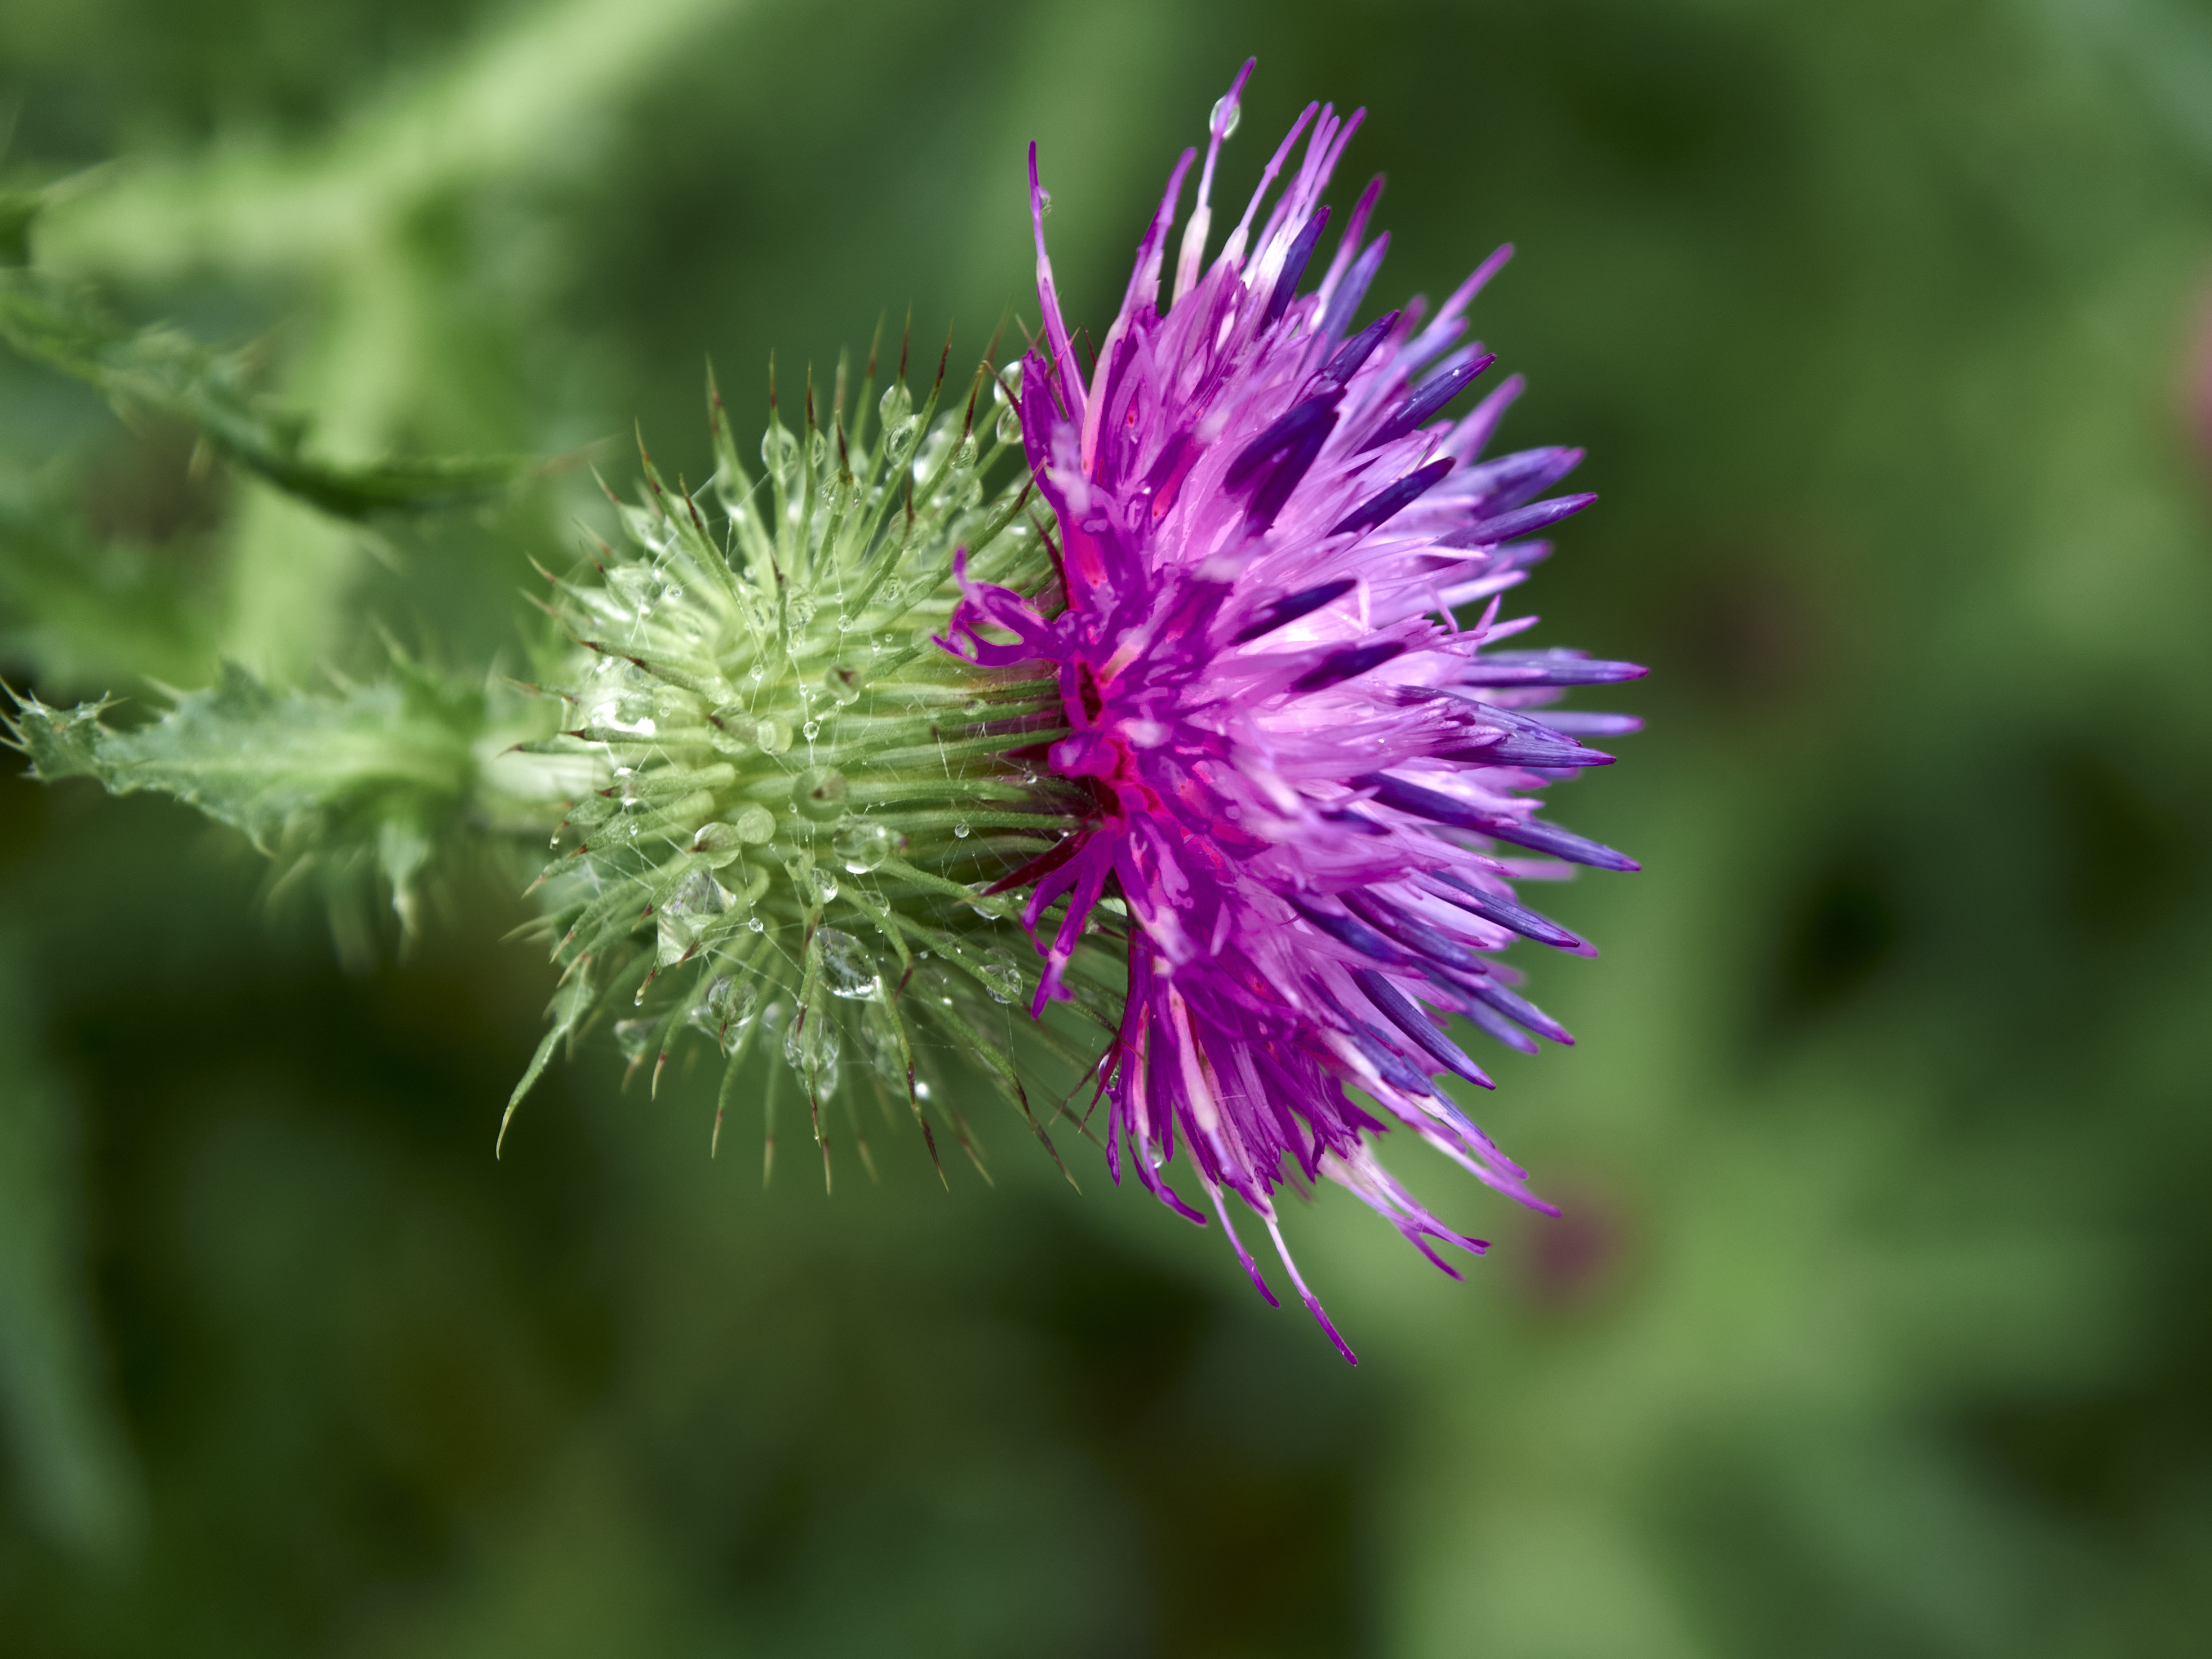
x,y
1879,1315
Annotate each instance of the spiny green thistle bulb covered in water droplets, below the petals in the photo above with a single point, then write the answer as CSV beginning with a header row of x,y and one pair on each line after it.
x,y
786,804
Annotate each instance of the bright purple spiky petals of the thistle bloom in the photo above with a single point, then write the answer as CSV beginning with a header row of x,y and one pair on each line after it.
x,y
1308,780
